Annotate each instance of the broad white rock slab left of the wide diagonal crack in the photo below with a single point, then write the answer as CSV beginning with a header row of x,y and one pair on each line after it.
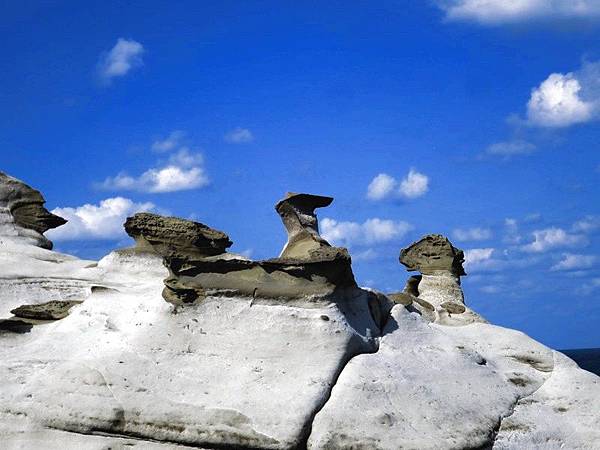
x,y
224,372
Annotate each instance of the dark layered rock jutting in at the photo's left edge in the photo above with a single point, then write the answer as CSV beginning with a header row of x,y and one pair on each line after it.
x,y
22,213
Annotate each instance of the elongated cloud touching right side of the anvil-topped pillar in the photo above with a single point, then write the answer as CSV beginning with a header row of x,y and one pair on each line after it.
x,y
372,231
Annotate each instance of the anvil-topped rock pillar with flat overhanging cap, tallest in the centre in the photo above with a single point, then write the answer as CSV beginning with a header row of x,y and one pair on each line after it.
x,y
297,212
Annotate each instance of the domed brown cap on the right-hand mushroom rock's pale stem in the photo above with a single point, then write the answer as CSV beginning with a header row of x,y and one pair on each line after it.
x,y
431,254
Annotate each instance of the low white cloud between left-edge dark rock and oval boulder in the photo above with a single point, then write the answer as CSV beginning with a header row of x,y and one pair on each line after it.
x,y
102,221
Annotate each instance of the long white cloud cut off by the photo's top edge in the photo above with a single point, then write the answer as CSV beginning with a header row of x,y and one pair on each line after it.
x,y
494,12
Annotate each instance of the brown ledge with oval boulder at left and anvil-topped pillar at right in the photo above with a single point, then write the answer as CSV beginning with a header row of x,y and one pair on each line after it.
x,y
199,264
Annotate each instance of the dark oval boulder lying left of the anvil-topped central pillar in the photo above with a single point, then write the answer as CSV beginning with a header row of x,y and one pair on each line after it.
x,y
171,236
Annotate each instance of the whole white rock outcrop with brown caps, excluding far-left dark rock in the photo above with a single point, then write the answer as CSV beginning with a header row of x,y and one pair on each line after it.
x,y
287,353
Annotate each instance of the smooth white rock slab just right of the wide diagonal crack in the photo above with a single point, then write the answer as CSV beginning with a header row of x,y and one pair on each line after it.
x,y
430,386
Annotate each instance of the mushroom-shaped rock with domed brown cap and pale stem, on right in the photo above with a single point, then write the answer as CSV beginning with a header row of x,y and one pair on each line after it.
x,y
437,290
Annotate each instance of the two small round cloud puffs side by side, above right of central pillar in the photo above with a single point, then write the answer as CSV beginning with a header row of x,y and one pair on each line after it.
x,y
413,185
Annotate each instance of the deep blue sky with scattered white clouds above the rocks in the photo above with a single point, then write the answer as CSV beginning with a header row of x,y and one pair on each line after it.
x,y
478,121
